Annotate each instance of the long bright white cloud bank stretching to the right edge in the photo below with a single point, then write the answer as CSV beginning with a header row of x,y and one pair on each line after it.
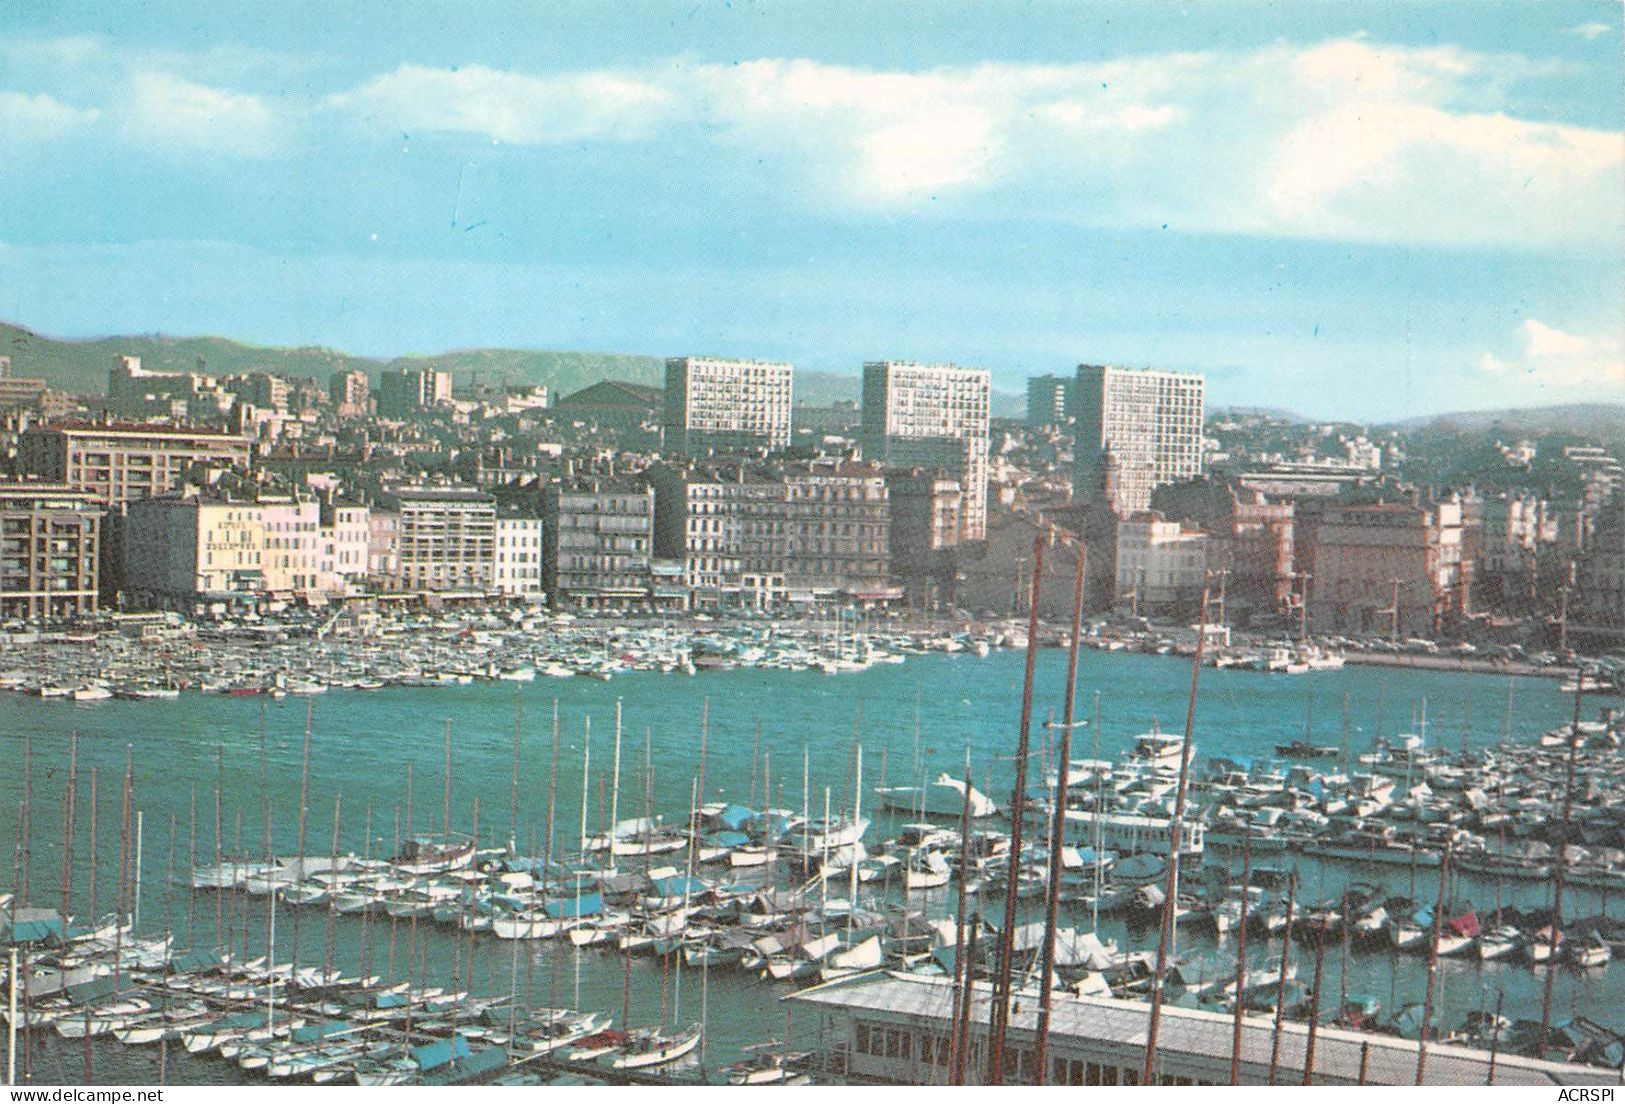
x,y
1345,141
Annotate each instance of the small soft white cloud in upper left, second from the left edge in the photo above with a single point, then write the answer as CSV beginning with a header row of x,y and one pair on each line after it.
x,y
170,113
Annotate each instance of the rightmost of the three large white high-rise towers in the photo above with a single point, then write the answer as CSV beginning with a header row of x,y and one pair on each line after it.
x,y
1151,422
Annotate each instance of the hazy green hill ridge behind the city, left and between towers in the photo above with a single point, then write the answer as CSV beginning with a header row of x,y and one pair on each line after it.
x,y
82,365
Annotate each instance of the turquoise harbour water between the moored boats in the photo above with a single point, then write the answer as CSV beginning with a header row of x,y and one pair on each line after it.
x,y
363,744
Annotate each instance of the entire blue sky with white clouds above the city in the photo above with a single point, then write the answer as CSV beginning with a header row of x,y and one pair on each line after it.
x,y
1353,211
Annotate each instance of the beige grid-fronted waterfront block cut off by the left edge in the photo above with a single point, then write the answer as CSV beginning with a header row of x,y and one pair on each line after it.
x,y
50,552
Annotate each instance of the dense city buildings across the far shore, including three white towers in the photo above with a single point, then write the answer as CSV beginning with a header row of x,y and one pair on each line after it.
x,y
256,493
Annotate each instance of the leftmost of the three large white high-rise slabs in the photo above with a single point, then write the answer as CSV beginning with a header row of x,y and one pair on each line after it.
x,y
717,404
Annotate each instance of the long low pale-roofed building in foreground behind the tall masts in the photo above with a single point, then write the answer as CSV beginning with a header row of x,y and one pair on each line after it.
x,y
895,1030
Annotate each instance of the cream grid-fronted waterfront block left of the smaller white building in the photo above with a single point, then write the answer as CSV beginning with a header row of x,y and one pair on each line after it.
x,y
448,541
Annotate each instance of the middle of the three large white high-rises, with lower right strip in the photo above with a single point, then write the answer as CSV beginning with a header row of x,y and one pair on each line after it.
x,y
932,417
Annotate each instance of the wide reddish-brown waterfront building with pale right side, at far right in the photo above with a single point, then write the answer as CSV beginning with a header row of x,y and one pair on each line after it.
x,y
1389,568
